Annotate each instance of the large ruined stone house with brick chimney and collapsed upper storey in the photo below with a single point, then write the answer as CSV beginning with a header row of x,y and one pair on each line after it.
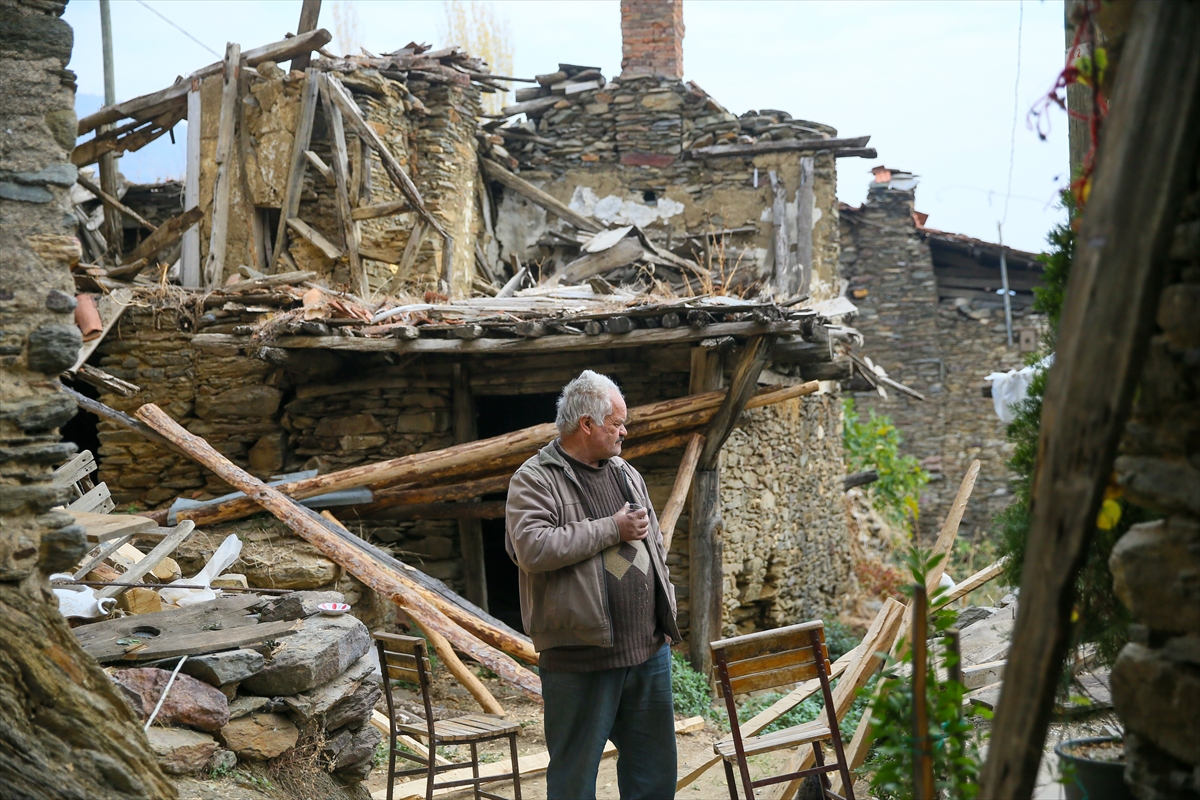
x,y
703,206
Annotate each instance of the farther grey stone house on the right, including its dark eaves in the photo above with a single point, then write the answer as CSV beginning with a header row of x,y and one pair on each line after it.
x,y
931,304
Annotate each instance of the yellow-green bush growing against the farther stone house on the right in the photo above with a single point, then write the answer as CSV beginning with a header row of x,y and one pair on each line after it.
x,y
875,444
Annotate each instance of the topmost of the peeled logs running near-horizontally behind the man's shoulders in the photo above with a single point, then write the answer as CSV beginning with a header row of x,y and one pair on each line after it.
x,y
481,458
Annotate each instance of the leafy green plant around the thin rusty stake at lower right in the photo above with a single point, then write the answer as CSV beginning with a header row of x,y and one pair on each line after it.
x,y
953,742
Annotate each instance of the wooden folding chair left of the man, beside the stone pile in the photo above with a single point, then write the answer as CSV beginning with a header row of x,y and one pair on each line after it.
x,y
405,658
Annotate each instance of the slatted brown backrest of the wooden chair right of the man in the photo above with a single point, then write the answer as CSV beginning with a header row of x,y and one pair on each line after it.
x,y
771,659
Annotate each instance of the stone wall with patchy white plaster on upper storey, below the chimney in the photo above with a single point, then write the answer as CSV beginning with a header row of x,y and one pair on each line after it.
x,y
616,145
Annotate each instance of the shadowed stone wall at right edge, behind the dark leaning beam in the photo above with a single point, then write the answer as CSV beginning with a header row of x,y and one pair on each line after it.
x,y
1156,566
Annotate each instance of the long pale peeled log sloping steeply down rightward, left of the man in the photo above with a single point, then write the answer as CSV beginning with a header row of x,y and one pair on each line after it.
x,y
337,545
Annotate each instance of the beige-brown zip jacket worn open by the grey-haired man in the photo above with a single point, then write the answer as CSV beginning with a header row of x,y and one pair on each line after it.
x,y
559,551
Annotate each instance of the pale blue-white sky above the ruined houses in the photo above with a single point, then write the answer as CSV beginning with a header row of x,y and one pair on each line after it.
x,y
933,83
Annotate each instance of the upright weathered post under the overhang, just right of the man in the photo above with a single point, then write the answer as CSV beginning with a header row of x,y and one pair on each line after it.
x,y
705,544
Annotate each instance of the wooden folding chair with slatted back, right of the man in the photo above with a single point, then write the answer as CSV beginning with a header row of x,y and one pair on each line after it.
x,y
759,661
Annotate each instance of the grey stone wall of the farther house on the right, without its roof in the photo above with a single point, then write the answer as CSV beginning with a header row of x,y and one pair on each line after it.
x,y
944,350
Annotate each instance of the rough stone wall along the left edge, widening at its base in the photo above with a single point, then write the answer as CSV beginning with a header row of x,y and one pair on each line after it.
x,y
67,732
